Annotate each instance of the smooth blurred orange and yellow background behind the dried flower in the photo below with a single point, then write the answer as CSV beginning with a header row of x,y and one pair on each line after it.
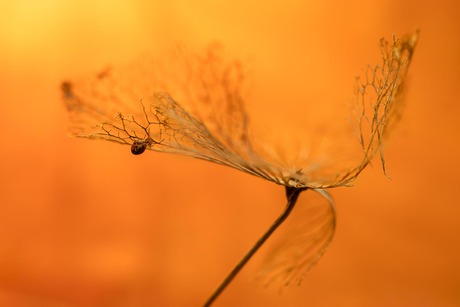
x,y
85,223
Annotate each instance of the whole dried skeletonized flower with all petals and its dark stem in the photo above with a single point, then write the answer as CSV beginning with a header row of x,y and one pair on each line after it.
x,y
218,131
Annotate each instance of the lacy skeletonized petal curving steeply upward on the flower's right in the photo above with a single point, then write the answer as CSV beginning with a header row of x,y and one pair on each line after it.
x,y
375,109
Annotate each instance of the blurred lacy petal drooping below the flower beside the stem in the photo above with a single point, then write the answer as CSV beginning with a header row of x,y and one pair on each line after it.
x,y
302,240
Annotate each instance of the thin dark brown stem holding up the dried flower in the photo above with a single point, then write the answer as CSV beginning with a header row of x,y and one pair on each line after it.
x,y
291,194
